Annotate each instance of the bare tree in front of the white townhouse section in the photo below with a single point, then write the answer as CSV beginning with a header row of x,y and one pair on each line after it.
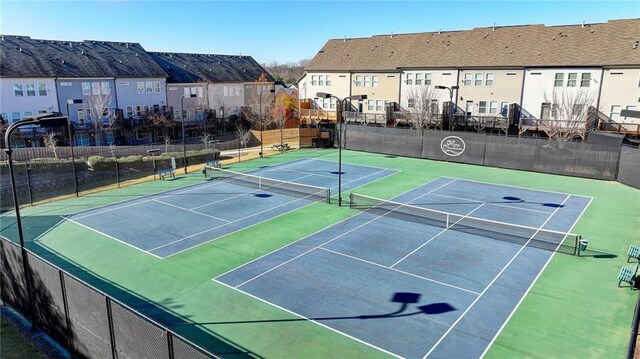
x,y
565,113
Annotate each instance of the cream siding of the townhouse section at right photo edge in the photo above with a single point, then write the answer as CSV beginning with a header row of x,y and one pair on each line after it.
x,y
620,87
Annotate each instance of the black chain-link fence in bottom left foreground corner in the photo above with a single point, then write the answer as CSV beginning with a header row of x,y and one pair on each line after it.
x,y
89,323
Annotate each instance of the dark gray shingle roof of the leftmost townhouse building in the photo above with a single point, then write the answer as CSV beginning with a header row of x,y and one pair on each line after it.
x,y
21,56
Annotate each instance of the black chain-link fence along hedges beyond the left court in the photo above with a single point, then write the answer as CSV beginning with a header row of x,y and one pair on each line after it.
x,y
42,174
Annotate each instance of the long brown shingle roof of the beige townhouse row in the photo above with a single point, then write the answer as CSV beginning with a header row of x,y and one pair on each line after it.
x,y
606,44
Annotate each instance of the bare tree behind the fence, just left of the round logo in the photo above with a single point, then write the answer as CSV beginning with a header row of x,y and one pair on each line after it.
x,y
422,108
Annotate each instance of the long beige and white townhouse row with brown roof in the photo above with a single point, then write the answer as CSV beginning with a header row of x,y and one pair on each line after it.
x,y
528,69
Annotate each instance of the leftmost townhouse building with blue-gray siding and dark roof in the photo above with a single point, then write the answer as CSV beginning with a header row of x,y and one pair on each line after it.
x,y
80,76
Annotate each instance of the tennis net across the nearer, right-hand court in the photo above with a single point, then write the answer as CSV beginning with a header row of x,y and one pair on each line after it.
x,y
522,235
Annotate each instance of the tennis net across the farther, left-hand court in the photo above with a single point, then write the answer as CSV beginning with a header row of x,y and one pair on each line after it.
x,y
314,193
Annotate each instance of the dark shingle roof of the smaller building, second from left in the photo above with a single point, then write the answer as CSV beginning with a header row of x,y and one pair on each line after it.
x,y
193,68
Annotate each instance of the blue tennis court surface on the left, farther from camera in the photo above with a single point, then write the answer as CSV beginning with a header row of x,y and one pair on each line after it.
x,y
171,222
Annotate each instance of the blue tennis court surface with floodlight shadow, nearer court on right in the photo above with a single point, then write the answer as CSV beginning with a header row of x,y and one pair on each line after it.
x,y
410,289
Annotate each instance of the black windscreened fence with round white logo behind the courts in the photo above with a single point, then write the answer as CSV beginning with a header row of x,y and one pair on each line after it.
x,y
541,155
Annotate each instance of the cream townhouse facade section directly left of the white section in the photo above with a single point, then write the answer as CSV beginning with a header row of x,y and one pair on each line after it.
x,y
505,88
